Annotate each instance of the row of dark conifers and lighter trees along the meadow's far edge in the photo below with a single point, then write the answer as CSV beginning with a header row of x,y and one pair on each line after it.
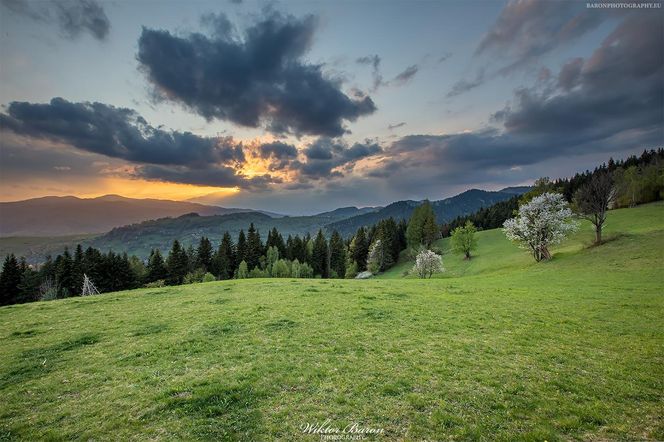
x,y
248,256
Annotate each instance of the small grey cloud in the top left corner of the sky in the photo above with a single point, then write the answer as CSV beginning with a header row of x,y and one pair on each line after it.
x,y
74,17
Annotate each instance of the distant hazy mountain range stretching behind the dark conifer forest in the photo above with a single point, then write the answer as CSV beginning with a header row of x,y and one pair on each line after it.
x,y
137,226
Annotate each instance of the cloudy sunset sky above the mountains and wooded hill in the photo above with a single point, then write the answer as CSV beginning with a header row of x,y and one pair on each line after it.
x,y
301,106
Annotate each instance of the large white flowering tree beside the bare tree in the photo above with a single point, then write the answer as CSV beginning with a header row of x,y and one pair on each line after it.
x,y
542,222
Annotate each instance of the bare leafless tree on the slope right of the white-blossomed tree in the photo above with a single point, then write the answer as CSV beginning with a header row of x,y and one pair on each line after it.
x,y
592,201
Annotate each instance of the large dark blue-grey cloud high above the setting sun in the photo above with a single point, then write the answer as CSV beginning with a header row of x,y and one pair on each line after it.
x,y
257,80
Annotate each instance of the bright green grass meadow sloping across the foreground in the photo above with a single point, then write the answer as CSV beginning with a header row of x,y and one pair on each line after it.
x,y
498,348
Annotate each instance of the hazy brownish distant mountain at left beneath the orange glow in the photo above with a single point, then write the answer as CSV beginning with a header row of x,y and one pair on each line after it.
x,y
51,215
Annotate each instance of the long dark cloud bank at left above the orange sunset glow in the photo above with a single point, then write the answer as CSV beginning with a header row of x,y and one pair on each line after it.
x,y
115,132
